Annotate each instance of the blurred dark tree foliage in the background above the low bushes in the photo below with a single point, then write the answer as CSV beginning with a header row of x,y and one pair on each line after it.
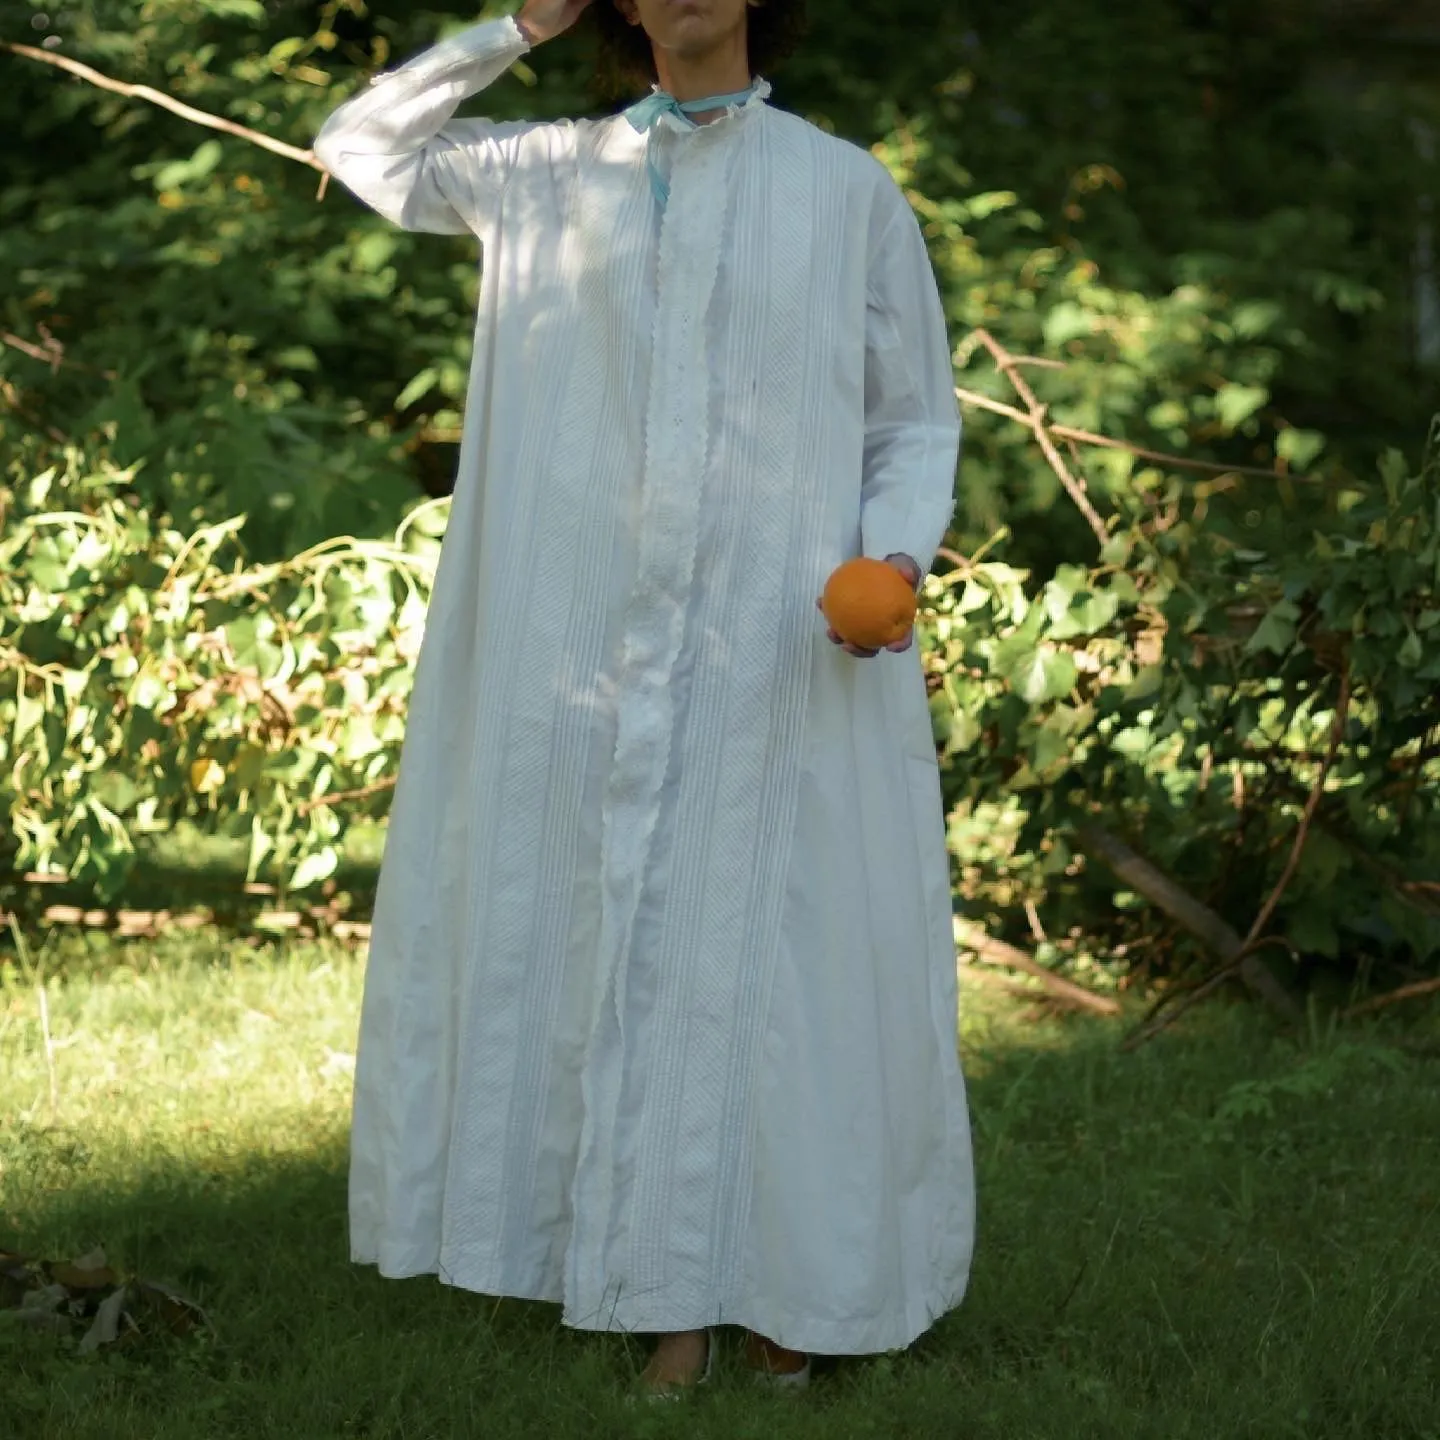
x,y
1182,207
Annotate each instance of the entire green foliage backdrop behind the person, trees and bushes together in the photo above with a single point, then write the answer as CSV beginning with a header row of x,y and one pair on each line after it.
x,y
1202,231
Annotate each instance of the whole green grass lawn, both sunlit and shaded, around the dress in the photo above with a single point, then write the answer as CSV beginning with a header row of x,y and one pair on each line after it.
x,y
1225,1235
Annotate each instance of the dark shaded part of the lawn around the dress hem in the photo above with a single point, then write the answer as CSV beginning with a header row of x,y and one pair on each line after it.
x,y
1182,1243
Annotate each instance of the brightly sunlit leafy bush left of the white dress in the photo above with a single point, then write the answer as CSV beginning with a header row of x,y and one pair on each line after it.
x,y
156,676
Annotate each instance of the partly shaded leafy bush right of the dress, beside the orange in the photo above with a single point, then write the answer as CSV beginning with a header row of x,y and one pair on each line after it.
x,y
1184,690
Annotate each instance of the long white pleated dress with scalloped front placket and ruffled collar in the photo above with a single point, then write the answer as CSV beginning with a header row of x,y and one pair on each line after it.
x,y
660,1017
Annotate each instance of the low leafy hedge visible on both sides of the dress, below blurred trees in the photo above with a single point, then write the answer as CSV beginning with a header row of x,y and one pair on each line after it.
x,y
1184,692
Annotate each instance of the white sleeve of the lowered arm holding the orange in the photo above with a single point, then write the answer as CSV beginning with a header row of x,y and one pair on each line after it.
x,y
912,417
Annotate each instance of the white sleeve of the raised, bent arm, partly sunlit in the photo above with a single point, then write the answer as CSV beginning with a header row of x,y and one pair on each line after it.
x,y
397,148
